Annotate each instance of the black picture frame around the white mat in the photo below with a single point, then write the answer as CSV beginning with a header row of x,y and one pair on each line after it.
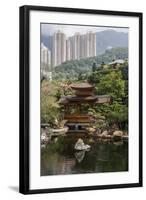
x,y
24,148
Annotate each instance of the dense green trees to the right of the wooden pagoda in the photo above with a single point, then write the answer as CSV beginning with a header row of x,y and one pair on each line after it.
x,y
113,82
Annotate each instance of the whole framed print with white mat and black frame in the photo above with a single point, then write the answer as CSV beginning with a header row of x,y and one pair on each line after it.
x,y
80,99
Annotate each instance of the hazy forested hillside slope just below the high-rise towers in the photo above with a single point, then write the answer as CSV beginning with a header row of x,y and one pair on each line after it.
x,y
71,69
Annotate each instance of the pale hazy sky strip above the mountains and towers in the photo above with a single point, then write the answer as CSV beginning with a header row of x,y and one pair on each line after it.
x,y
49,29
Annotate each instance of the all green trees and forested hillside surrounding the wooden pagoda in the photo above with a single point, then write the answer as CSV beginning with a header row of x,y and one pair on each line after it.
x,y
107,81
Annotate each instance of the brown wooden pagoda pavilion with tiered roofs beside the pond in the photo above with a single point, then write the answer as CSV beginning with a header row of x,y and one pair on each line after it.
x,y
75,111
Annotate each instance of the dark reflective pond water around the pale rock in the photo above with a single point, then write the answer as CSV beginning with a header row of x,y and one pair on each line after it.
x,y
59,156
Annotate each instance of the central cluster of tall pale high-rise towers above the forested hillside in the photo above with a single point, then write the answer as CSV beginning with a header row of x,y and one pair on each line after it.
x,y
76,47
